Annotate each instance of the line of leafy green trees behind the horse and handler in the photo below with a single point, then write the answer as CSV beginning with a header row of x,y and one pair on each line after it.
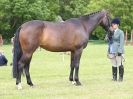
x,y
13,13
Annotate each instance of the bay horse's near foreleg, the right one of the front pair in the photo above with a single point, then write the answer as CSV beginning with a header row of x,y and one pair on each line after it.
x,y
77,56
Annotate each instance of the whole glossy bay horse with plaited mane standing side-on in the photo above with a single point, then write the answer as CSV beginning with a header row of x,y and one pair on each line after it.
x,y
71,35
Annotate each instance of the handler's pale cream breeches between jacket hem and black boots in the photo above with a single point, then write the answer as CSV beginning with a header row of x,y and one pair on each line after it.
x,y
116,60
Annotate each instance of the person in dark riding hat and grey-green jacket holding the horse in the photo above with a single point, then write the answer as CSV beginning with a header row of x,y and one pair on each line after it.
x,y
116,49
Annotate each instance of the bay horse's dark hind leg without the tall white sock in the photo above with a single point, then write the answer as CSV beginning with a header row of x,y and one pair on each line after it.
x,y
26,67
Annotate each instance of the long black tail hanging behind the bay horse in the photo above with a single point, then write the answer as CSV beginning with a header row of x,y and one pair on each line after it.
x,y
17,53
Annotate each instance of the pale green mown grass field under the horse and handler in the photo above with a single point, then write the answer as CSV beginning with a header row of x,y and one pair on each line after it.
x,y
50,73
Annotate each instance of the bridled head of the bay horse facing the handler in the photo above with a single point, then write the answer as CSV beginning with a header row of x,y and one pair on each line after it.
x,y
105,21
